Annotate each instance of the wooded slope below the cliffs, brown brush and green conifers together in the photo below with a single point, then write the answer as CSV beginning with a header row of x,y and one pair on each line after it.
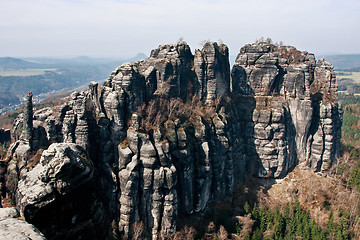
x,y
304,205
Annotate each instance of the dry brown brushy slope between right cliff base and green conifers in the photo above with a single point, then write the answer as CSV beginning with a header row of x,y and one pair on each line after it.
x,y
320,194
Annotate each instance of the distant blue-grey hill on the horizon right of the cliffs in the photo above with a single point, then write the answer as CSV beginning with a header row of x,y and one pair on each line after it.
x,y
344,61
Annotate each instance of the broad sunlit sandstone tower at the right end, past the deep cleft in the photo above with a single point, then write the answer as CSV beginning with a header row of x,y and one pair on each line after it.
x,y
293,94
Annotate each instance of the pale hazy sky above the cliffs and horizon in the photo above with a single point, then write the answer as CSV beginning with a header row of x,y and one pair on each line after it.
x,y
122,28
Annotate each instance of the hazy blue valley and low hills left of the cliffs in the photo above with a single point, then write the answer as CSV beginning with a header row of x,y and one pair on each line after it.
x,y
69,74
